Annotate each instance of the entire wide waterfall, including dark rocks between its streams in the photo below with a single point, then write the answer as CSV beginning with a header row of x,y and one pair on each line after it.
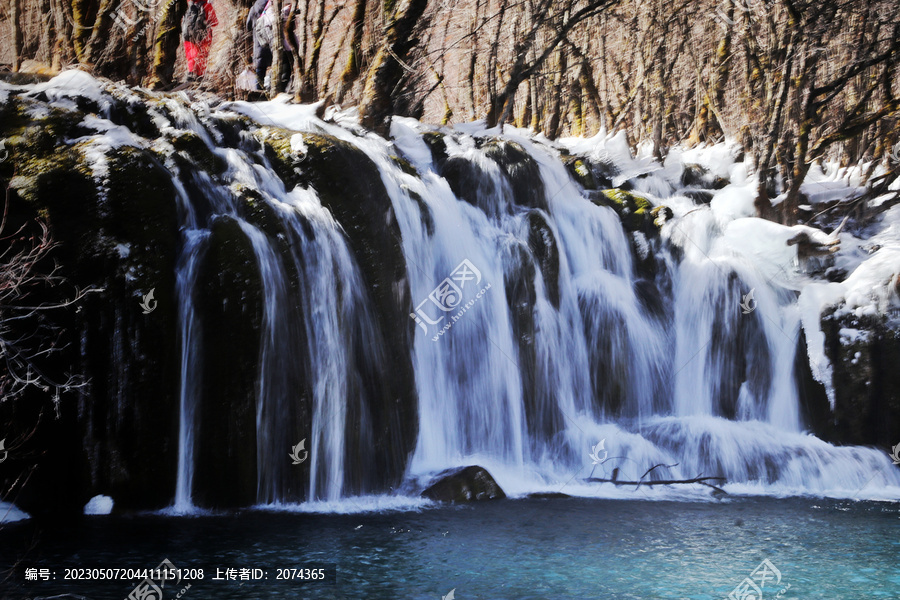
x,y
540,324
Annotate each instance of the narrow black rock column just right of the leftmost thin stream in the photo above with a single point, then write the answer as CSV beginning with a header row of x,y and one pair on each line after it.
x,y
229,305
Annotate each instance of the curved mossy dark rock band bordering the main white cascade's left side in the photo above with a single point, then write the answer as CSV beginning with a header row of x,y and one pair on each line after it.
x,y
349,185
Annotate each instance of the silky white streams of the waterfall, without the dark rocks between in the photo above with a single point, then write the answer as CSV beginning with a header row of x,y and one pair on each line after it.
x,y
536,333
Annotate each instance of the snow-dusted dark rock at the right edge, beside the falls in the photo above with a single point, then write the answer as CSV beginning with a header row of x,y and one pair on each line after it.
x,y
867,389
